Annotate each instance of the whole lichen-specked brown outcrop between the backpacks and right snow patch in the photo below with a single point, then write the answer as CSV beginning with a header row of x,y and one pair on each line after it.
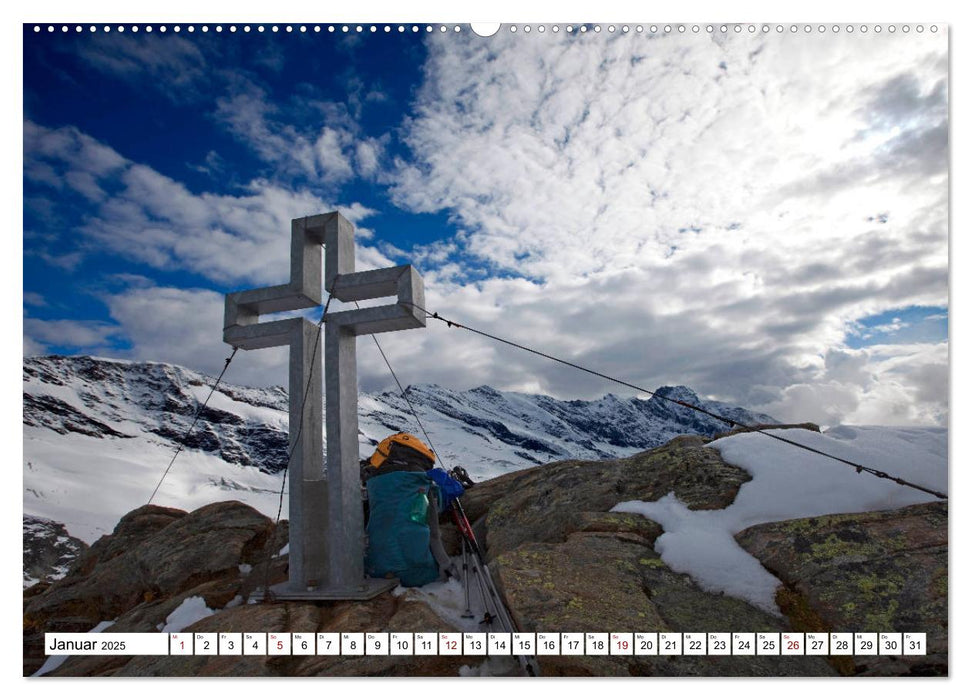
x,y
565,563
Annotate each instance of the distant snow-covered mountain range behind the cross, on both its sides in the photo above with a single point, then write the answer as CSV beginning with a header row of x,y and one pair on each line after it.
x,y
99,434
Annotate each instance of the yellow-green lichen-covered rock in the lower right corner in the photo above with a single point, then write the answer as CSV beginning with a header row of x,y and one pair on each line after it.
x,y
883,571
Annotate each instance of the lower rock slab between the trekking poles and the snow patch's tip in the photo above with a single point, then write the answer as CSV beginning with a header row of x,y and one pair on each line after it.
x,y
615,582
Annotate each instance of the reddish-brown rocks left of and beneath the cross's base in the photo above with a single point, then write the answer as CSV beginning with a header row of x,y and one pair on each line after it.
x,y
158,557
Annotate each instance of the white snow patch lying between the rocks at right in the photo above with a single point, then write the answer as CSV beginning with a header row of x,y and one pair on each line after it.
x,y
791,483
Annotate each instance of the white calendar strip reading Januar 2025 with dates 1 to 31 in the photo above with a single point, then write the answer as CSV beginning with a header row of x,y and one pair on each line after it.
x,y
491,644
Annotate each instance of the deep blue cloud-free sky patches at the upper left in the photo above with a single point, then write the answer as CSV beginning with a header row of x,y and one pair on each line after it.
x,y
101,86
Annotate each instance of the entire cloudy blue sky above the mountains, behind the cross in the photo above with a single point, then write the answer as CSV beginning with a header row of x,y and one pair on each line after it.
x,y
760,216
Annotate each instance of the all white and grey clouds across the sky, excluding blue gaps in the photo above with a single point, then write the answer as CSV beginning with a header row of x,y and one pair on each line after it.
x,y
713,211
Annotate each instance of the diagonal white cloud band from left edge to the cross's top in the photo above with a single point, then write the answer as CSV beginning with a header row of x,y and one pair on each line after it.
x,y
153,219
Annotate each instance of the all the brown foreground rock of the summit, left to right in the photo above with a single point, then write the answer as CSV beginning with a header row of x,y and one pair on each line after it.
x,y
562,560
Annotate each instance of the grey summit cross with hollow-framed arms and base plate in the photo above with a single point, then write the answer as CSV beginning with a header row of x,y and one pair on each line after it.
x,y
326,514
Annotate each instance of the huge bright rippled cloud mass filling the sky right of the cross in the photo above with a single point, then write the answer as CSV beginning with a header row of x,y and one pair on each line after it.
x,y
721,227
